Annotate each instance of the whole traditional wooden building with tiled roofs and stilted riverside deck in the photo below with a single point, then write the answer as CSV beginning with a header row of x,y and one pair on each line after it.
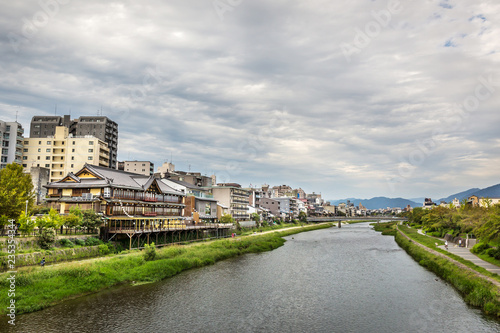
x,y
130,204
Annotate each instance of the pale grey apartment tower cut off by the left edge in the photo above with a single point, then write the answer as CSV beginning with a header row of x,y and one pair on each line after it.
x,y
11,135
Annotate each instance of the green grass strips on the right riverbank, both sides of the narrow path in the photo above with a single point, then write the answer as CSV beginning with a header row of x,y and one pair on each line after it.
x,y
475,290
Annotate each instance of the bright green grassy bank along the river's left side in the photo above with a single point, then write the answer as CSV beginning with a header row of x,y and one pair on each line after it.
x,y
37,288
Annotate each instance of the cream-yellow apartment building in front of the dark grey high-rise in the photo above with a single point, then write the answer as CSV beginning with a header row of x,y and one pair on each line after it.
x,y
64,153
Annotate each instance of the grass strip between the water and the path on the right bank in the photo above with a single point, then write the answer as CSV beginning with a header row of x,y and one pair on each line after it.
x,y
475,290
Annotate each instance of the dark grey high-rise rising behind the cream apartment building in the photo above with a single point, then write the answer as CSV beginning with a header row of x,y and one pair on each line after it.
x,y
100,127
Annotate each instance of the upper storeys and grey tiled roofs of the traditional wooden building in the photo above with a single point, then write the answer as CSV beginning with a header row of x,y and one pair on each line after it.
x,y
117,195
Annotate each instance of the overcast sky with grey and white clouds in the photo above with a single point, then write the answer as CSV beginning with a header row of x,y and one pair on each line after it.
x,y
351,98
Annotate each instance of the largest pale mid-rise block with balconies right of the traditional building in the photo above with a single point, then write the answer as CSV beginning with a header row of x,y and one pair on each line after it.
x,y
234,197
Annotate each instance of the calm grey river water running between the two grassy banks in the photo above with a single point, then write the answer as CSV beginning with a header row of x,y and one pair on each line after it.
x,y
332,280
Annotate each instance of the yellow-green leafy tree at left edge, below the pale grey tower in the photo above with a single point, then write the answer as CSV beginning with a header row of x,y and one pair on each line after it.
x,y
15,189
